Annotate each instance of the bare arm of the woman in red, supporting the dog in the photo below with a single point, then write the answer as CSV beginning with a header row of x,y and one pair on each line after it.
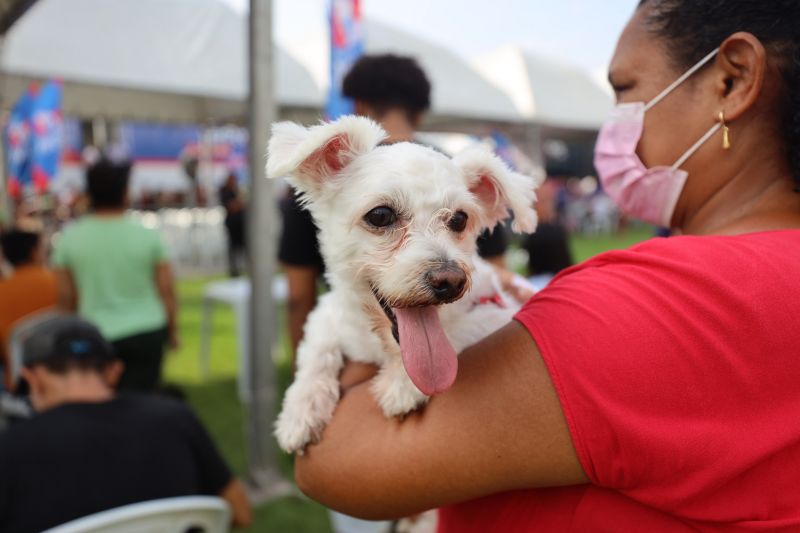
x,y
499,428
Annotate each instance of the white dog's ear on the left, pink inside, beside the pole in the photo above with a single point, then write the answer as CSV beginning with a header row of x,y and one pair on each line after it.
x,y
312,155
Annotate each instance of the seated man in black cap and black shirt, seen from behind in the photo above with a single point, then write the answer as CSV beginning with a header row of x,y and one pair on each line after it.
x,y
88,450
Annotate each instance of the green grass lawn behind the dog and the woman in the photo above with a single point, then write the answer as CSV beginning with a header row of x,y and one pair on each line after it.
x,y
217,404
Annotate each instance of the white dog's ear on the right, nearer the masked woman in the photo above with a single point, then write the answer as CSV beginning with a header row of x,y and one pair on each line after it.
x,y
499,189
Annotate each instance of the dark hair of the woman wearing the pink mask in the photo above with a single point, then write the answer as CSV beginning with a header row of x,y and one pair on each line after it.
x,y
693,28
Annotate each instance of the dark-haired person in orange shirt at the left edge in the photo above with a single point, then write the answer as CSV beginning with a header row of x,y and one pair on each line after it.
x,y
31,287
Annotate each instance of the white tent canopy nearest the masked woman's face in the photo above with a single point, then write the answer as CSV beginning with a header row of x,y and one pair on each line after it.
x,y
547,93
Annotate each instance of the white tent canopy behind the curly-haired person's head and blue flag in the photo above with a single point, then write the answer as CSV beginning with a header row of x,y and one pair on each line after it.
x,y
458,90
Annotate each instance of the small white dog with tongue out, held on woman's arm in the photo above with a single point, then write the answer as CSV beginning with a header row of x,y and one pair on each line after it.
x,y
397,228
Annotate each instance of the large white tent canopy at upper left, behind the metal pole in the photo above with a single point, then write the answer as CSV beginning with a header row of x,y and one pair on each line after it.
x,y
171,60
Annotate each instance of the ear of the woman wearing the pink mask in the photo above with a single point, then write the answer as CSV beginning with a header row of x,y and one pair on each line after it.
x,y
742,60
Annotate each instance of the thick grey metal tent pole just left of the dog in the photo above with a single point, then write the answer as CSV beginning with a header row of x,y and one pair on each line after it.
x,y
264,480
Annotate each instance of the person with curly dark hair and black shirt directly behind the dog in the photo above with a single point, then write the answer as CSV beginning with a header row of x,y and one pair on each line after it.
x,y
394,92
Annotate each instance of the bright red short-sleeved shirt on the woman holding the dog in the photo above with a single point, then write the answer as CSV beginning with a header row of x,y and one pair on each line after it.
x,y
677,364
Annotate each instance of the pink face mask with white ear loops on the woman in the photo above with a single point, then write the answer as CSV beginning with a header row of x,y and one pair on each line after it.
x,y
649,194
